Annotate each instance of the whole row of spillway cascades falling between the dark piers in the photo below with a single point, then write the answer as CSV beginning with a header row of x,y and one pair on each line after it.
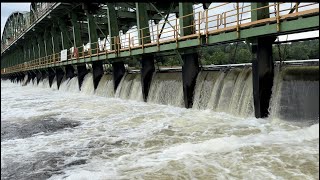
x,y
295,91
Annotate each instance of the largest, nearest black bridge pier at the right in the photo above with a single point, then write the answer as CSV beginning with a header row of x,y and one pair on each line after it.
x,y
262,75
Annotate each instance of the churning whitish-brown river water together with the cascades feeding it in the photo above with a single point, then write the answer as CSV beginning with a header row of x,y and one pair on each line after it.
x,y
65,134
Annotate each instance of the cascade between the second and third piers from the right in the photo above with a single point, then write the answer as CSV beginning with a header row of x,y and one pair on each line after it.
x,y
166,88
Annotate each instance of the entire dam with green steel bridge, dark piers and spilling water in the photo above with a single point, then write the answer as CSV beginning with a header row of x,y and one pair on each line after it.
x,y
70,45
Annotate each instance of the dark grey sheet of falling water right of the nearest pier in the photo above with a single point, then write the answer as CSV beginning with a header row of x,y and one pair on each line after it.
x,y
295,94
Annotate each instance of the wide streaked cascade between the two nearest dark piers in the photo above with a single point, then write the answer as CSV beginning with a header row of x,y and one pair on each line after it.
x,y
221,91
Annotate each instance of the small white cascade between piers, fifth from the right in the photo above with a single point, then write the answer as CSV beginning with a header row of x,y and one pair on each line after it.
x,y
105,86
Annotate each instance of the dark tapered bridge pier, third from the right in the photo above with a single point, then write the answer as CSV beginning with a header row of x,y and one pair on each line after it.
x,y
147,70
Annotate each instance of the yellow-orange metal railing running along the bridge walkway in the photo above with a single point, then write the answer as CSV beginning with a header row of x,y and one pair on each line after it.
x,y
204,23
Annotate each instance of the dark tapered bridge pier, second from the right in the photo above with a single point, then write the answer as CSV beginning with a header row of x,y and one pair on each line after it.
x,y
190,70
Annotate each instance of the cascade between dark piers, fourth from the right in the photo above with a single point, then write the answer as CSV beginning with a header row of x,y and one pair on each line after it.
x,y
130,87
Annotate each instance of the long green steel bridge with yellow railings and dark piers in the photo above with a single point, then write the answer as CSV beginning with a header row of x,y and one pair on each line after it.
x,y
60,39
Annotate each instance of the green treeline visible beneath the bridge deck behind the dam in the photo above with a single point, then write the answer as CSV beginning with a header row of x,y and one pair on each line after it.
x,y
240,53
